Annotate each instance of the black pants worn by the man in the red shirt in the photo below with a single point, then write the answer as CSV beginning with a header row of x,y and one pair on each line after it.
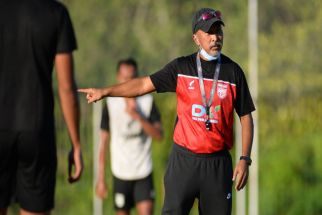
x,y
207,177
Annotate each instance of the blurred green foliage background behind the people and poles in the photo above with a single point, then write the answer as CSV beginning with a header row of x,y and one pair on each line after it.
x,y
155,32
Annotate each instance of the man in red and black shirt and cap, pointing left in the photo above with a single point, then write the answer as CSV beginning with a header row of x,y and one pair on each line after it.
x,y
209,87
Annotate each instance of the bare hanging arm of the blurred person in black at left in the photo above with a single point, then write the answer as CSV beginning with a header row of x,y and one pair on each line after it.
x,y
70,108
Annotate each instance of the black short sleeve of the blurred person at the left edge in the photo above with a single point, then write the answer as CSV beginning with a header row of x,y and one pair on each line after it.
x,y
66,40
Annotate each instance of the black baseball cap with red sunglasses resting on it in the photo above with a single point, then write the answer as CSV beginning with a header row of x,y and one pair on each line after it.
x,y
205,18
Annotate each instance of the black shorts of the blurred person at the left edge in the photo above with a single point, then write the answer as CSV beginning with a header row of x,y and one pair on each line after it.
x,y
28,165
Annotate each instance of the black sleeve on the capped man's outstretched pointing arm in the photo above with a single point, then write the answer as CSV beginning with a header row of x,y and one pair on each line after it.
x,y
165,80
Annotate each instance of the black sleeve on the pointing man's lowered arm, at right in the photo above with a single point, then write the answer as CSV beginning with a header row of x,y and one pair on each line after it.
x,y
244,102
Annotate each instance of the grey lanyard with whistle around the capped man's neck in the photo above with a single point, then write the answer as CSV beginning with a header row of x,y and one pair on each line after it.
x,y
202,87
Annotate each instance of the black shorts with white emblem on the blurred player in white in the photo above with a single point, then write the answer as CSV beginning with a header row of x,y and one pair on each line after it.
x,y
128,193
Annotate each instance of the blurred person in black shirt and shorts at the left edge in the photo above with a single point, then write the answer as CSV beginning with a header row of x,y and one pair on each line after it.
x,y
35,35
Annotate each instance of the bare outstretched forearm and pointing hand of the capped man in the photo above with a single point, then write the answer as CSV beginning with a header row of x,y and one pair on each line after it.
x,y
132,88
